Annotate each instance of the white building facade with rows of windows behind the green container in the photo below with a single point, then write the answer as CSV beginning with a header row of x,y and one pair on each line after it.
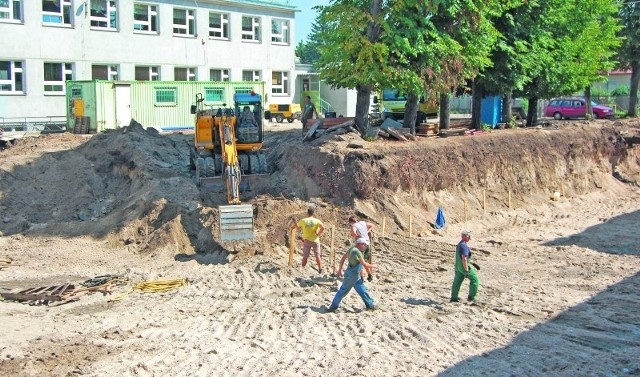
x,y
46,42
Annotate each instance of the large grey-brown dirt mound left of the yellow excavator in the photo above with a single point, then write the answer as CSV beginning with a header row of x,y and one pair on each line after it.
x,y
114,184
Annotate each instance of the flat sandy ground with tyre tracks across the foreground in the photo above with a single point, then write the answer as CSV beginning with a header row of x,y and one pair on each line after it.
x,y
558,297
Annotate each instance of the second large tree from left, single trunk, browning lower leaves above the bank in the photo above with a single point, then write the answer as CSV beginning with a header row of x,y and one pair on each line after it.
x,y
436,46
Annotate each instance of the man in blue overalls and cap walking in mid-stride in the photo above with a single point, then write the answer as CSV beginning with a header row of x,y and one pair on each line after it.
x,y
352,278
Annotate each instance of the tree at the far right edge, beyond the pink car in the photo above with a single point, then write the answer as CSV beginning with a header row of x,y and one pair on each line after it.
x,y
629,52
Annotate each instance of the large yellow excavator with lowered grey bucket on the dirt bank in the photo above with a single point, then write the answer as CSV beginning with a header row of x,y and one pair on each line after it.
x,y
227,153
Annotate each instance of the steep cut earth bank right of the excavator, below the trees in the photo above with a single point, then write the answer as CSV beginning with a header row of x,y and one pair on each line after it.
x,y
527,165
